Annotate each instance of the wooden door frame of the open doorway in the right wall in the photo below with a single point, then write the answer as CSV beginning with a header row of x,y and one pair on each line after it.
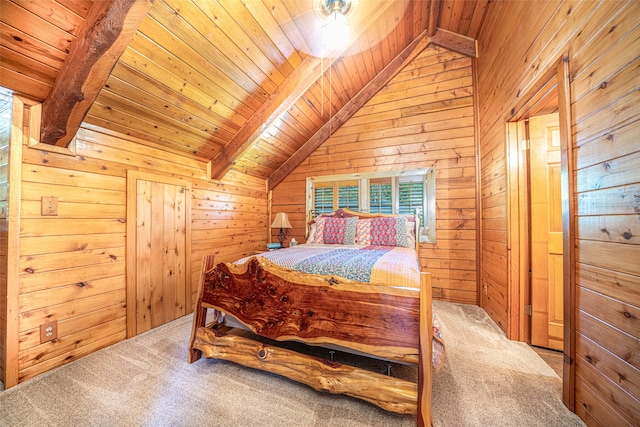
x,y
553,82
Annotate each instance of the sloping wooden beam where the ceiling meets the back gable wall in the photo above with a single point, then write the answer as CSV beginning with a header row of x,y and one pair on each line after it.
x,y
394,67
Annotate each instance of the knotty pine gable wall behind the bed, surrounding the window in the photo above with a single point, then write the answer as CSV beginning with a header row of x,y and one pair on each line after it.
x,y
423,117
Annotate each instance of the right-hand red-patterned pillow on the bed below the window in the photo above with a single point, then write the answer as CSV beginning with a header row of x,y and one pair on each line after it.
x,y
382,231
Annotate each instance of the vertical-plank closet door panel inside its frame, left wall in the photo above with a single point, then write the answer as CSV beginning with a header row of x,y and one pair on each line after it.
x,y
161,280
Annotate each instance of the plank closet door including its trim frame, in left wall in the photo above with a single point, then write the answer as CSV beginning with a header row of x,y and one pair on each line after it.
x,y
158,280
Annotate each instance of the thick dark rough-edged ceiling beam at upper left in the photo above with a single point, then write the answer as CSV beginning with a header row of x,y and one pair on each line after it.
x,y
108,29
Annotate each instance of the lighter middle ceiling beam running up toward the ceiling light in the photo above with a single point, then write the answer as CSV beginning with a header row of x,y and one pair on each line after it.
x,y
296,85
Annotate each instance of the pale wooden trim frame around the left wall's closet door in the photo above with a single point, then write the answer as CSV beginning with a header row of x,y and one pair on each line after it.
x,y
131,240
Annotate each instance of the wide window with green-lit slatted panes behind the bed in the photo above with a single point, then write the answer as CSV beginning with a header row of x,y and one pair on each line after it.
x,y
403,192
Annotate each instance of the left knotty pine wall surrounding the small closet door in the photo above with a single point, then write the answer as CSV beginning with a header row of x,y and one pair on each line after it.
x,y
85,243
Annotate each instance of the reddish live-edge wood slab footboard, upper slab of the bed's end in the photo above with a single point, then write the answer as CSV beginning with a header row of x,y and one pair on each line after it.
x,y
282,305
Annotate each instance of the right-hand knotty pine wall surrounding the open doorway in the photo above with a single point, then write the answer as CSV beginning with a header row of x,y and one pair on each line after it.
x,y
518,43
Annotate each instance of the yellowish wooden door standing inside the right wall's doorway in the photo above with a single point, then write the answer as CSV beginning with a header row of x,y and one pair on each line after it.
x,y
546,233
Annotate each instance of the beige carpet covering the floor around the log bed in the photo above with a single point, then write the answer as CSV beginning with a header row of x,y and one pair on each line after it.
x,y
146,381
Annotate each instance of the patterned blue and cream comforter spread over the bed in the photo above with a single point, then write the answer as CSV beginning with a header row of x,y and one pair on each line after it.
x,y
394,266
